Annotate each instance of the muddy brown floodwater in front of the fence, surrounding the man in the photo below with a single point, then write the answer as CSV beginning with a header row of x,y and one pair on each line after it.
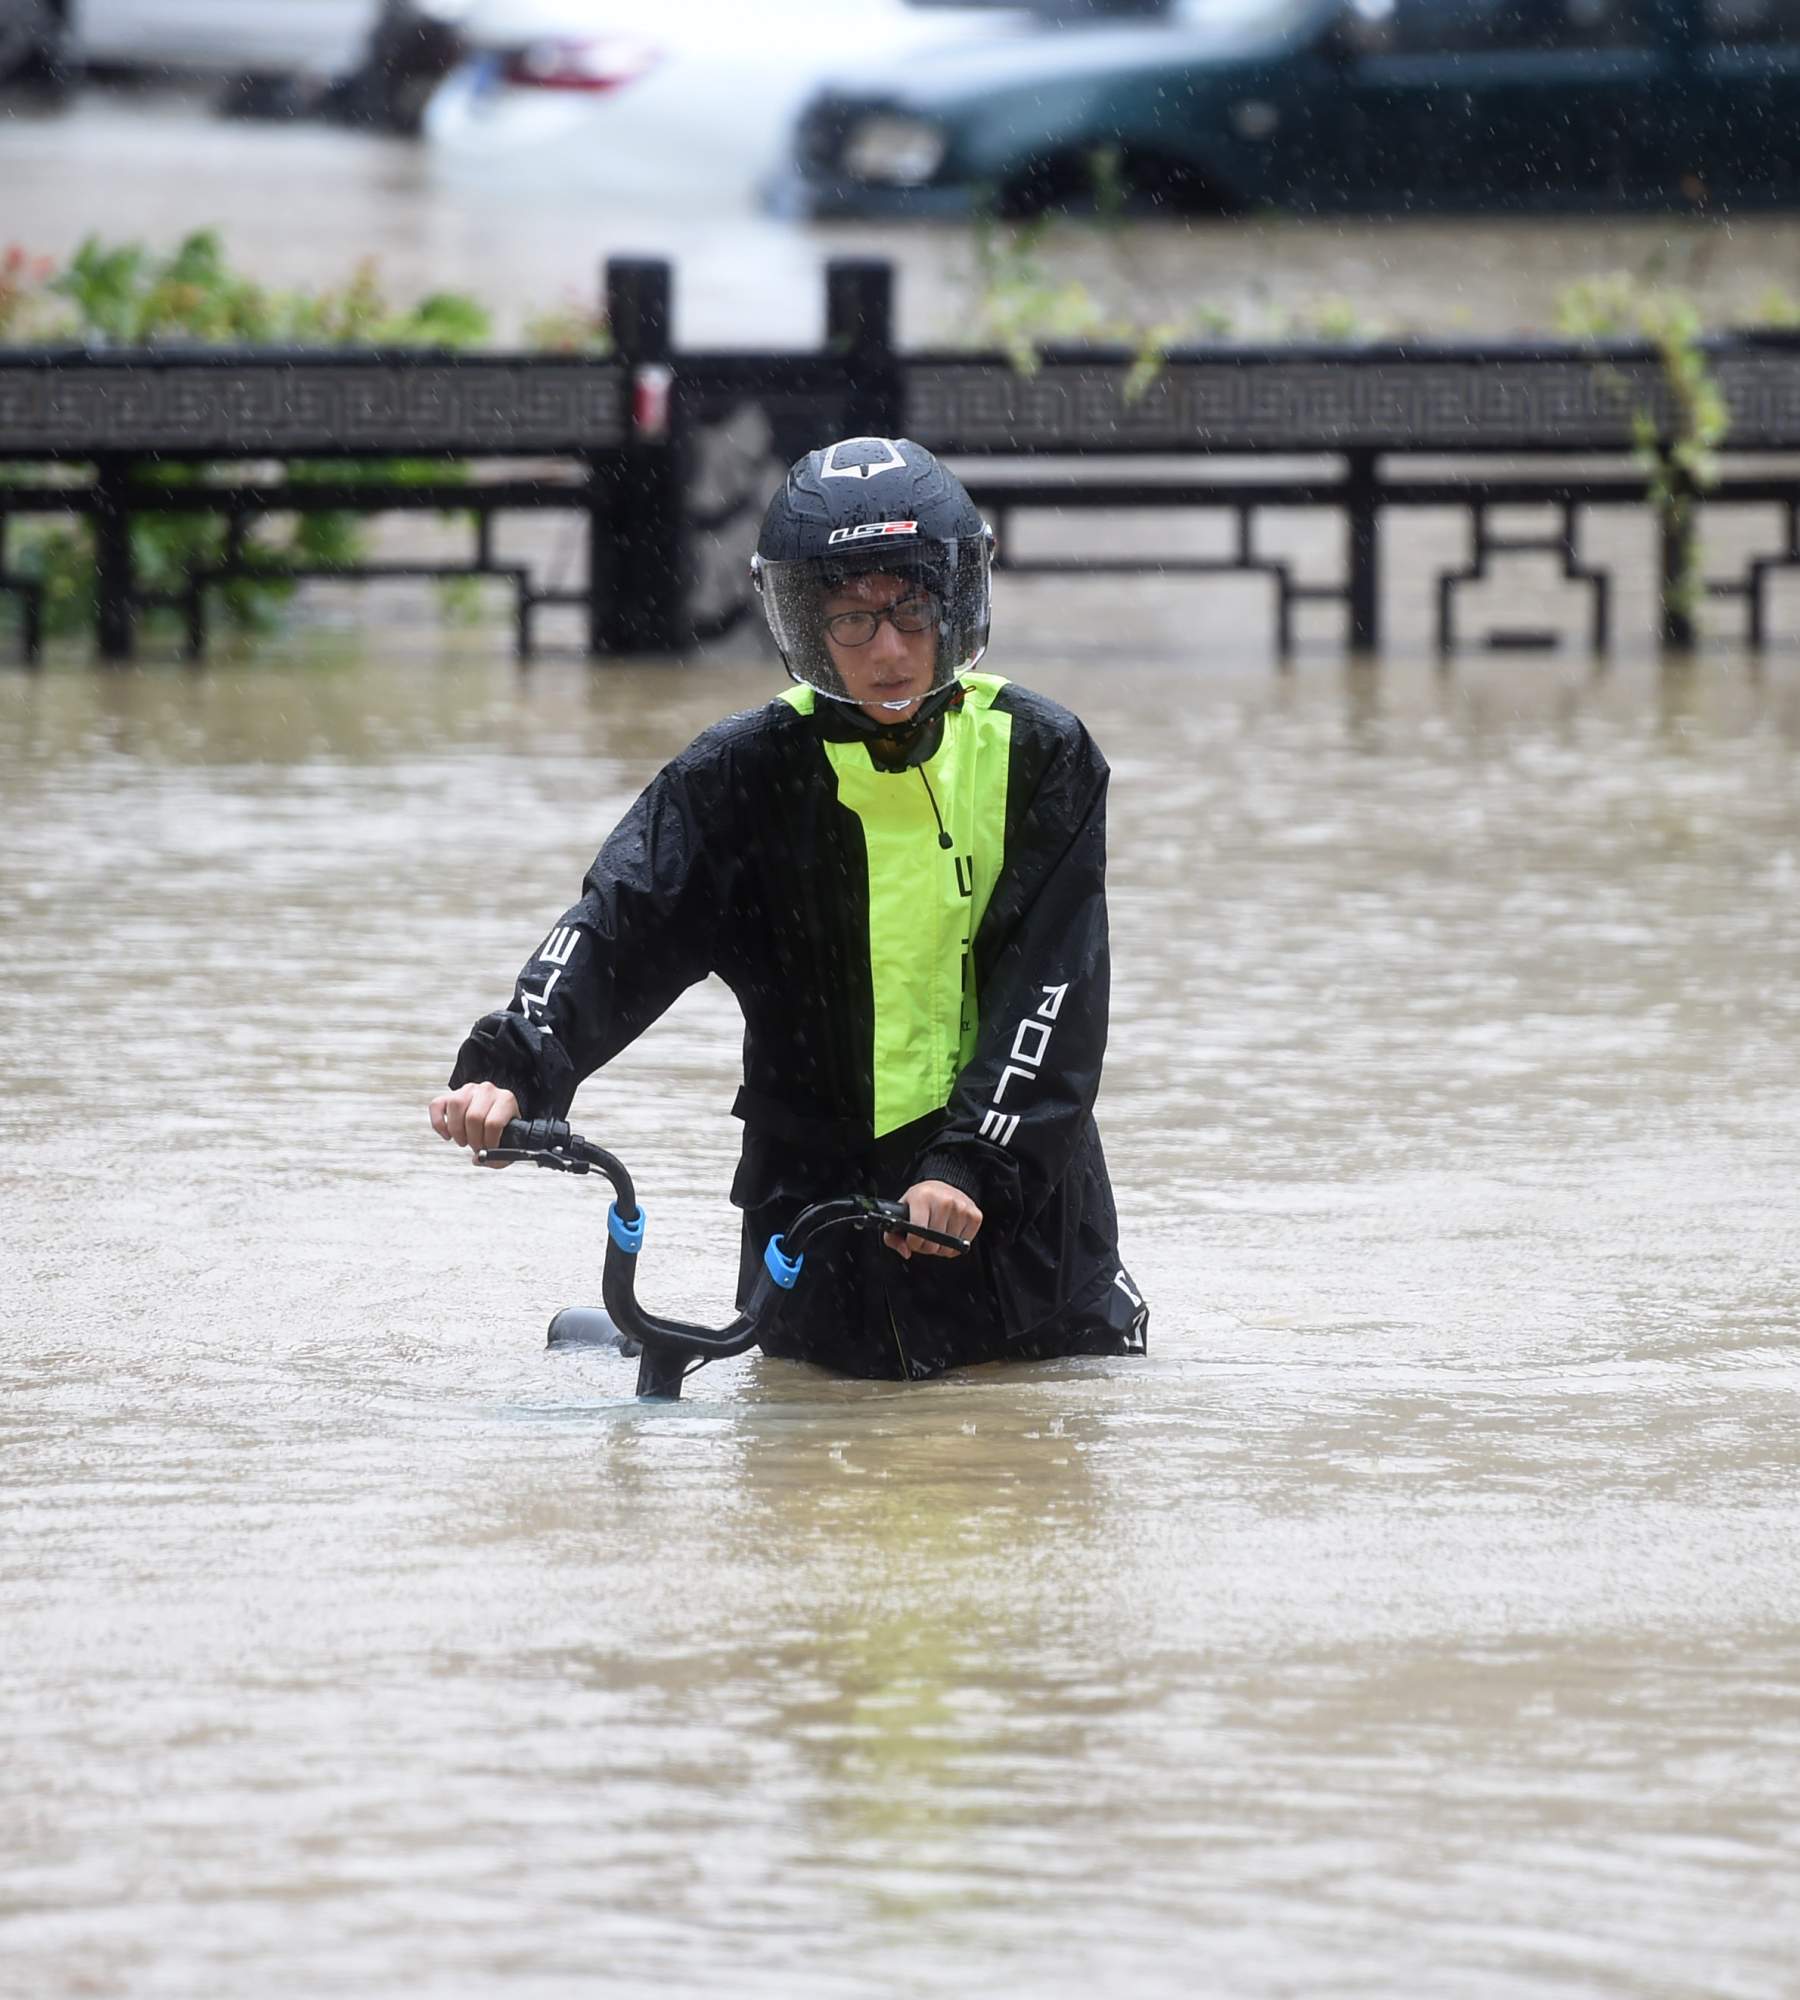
x,y
1421,1617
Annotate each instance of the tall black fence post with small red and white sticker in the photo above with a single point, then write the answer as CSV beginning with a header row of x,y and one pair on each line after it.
x,y
637,529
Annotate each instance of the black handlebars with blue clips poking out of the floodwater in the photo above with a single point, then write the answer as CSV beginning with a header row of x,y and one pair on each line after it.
x,y
671,1351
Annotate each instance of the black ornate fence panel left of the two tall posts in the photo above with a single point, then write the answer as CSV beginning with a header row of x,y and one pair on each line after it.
x,y
127,415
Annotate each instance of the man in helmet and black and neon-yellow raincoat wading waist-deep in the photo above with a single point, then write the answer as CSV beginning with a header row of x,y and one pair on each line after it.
x,y
899,867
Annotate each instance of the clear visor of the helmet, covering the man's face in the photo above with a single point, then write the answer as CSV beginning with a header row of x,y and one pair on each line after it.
x,y
827,611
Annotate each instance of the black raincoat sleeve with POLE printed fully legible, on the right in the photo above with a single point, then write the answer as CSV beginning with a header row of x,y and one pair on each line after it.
x,y
1025,1101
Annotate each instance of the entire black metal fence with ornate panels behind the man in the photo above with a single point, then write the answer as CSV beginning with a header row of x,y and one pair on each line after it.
x,y
669,457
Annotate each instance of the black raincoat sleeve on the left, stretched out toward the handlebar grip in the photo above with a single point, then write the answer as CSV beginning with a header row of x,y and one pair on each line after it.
x,y
641,935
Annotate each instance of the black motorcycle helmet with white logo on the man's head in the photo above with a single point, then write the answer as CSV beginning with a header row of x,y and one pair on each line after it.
x,y
873,507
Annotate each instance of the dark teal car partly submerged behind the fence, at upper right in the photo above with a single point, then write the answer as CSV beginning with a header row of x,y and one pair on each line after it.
x,y
1329,105
